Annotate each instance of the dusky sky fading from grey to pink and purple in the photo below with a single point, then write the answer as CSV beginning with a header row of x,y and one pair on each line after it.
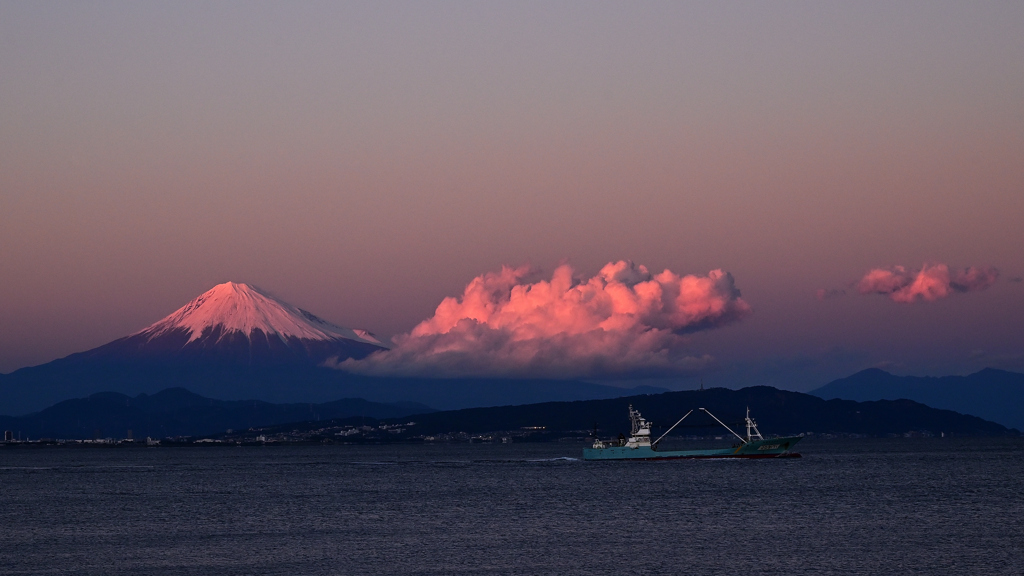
x,y
366,160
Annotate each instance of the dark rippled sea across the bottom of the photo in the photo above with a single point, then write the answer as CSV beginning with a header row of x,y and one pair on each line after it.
x,y
849,507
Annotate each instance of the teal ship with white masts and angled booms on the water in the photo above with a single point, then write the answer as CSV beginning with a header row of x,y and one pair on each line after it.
x,y
639,446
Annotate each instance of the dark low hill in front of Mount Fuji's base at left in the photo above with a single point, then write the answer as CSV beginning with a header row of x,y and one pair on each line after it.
x,y
180,413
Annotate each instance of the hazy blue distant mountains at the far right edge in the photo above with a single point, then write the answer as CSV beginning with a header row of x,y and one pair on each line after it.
x,y
994,395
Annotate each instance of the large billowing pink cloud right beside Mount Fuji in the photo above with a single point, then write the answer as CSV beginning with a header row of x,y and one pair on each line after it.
x,y
624,322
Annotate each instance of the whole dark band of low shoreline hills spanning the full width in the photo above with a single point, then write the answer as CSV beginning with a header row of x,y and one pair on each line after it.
x,y
178,413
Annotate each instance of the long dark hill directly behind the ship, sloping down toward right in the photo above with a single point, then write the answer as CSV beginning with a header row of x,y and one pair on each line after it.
x,y
778,413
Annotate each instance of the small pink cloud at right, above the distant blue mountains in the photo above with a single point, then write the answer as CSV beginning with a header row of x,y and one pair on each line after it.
x,y
932,282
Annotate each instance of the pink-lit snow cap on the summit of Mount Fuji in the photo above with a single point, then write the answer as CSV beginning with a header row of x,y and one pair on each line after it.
x,y
244,309
